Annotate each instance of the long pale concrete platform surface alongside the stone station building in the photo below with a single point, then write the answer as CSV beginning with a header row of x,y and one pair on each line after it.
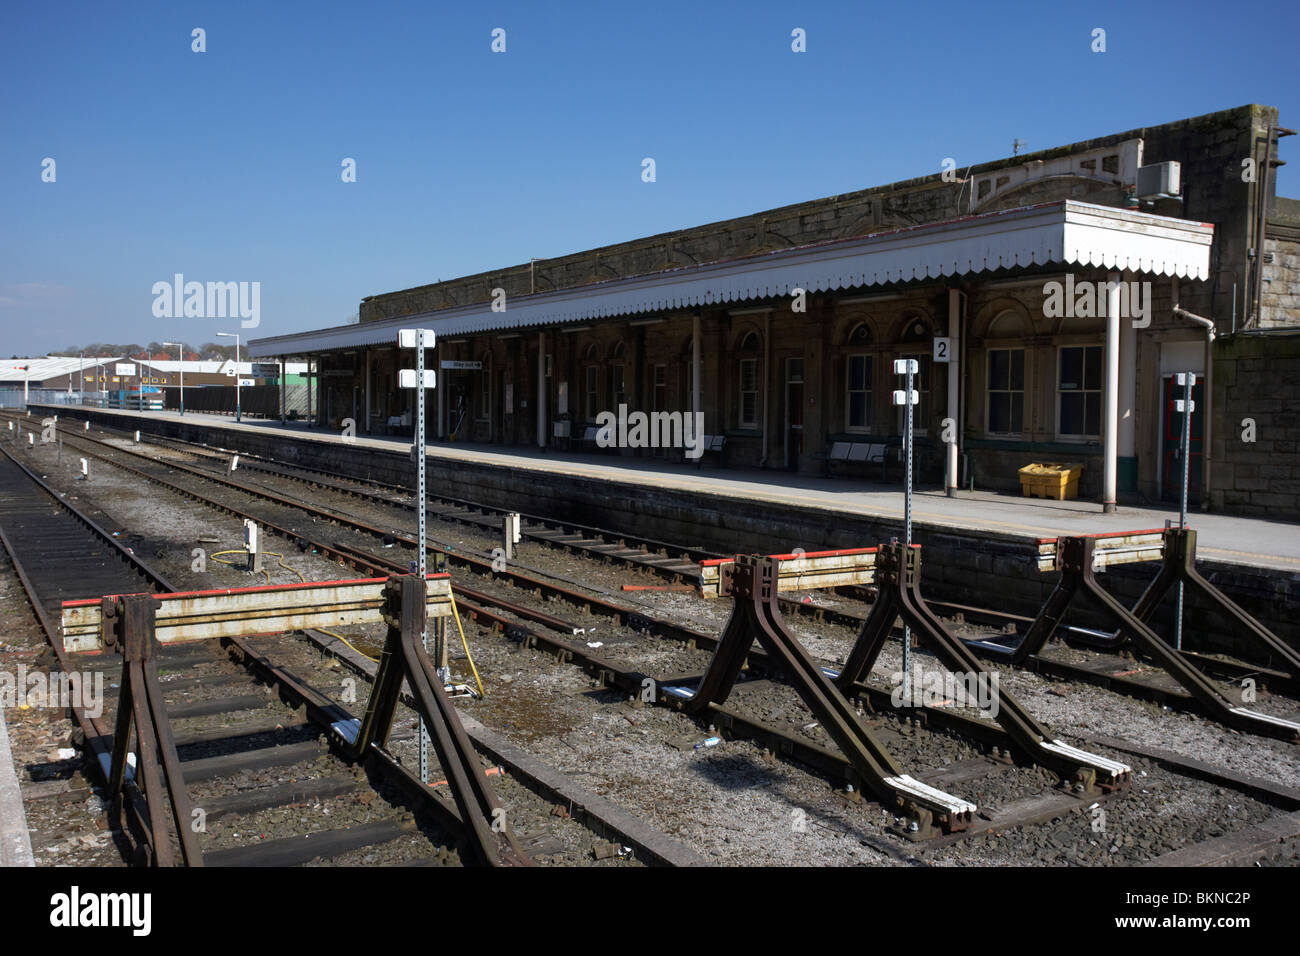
x,y
1256,542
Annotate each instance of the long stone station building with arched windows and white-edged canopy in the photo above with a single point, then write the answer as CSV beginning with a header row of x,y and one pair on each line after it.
x,y
1002,280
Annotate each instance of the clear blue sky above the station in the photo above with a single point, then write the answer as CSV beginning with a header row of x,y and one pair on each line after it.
x,y
226,166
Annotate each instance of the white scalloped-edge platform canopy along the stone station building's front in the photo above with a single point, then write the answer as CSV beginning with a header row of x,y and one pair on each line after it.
x,y
1064,232
